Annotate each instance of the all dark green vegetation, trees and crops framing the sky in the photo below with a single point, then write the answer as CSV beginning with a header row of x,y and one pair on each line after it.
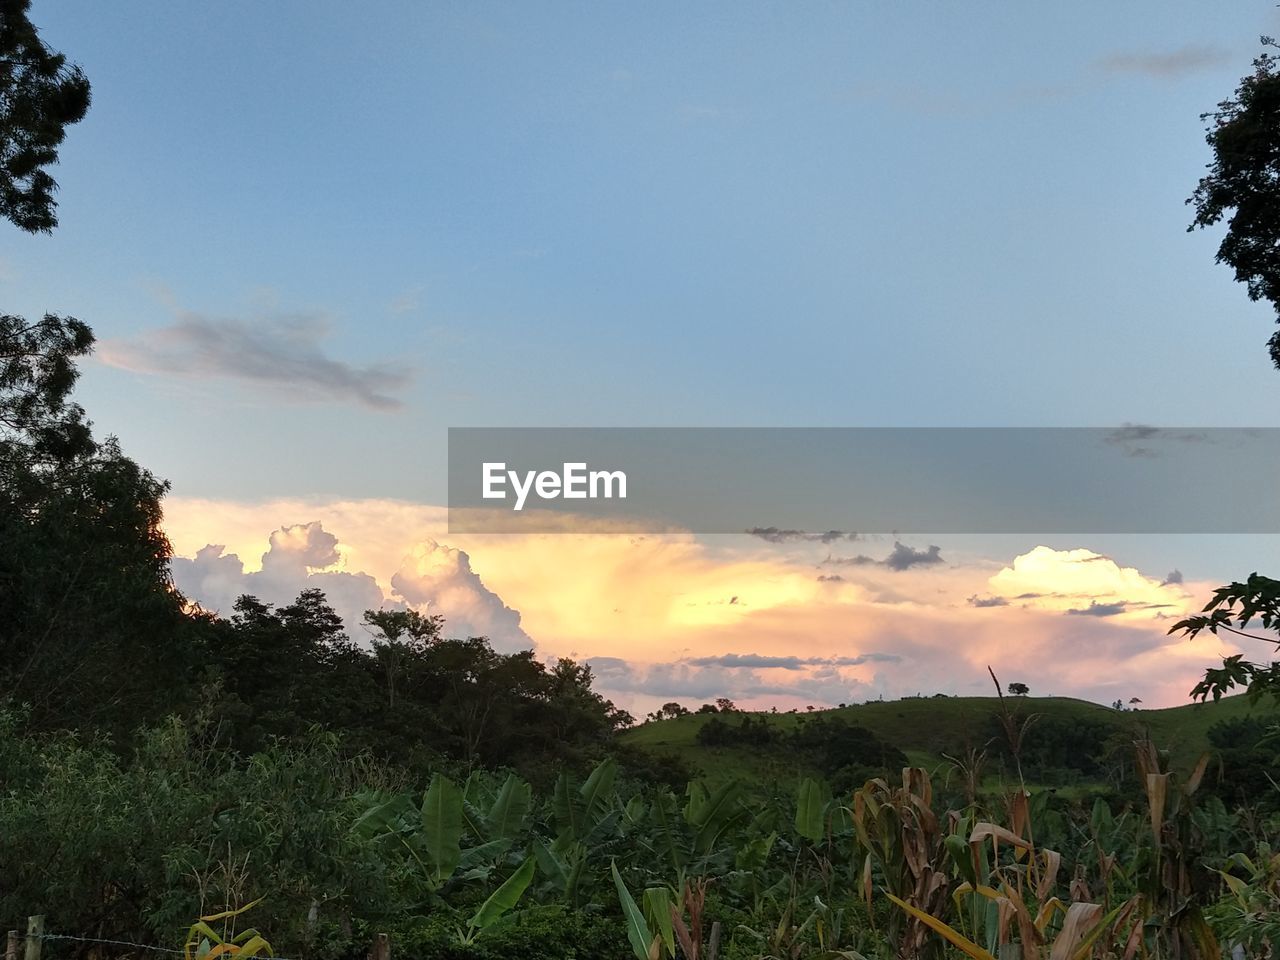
x,y
159,764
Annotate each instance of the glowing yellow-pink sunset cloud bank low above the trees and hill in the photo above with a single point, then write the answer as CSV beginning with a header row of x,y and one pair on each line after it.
x,y
675,616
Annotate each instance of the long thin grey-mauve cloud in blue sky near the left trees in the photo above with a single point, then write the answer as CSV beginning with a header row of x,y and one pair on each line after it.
x,y
280,351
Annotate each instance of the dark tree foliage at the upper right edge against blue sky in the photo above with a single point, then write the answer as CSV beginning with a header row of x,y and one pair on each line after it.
x,y
1245,179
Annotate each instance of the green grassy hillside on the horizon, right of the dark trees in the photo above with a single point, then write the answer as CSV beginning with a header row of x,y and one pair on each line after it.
x,y
926,729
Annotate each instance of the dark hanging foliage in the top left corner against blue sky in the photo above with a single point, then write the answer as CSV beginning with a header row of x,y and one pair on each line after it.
x,y
40,97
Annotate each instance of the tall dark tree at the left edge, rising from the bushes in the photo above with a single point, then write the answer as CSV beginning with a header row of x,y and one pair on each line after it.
x,y
92,629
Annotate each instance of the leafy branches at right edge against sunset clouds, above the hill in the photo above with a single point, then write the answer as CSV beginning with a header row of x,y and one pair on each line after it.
x,y
1233,609
